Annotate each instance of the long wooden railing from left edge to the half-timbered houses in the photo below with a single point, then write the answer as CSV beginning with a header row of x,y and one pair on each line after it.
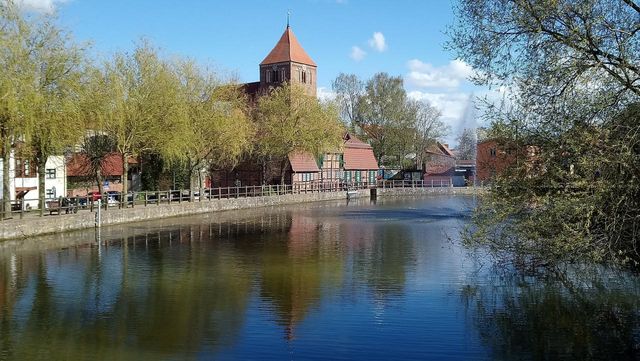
x,y
28,207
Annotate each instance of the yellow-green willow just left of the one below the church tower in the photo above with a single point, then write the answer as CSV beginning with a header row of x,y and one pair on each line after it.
x,y
218,128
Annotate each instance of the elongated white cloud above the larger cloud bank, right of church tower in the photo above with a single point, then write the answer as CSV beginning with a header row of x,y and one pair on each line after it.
x,y
425,75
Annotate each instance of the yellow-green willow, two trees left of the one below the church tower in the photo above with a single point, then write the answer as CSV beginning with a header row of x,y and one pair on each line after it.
x,y
138,106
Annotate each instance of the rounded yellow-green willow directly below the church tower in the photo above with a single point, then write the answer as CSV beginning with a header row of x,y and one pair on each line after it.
x,y
290,121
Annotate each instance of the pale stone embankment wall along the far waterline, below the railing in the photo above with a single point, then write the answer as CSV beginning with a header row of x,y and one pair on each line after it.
x,y
34,226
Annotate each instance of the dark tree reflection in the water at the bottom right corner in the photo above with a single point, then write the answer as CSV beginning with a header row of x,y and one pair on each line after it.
x,y
587,316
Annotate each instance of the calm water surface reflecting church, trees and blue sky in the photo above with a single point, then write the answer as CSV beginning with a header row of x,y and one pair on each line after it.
x,y
358,281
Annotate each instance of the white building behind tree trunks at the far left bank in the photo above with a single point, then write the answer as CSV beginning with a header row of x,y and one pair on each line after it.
x,y
23,178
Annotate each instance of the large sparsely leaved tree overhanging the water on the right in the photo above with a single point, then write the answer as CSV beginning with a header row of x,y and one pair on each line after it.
x,y
572,70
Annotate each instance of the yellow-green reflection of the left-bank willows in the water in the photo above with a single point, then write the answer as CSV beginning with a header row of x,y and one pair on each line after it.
x,y
161,301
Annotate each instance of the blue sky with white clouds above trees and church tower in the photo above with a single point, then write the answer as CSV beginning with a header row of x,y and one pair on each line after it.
x,y
401,37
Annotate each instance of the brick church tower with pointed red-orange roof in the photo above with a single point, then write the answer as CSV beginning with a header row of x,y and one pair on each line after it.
x,y
288,62
